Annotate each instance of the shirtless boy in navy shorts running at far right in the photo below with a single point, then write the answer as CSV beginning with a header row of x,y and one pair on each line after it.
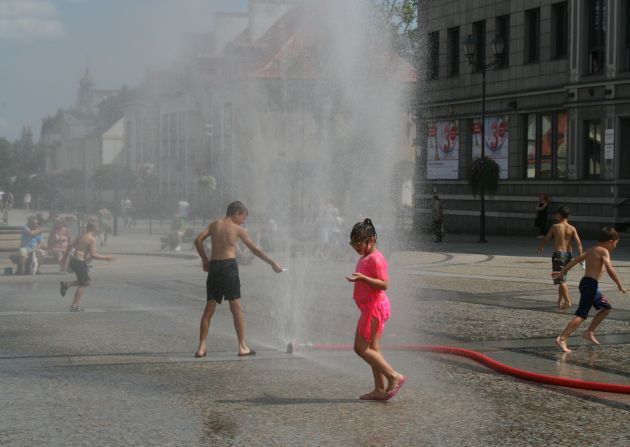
x,y
597,258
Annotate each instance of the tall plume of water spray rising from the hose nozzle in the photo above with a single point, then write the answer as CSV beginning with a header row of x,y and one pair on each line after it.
x,y
330,128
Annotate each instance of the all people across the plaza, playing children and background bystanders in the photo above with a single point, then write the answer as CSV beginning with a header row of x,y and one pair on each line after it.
x,y
228,237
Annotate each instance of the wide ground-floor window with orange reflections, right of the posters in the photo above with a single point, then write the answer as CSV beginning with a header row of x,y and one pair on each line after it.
x,y
545,137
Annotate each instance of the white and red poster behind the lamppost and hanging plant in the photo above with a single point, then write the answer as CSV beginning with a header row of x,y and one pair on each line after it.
x,y
496,135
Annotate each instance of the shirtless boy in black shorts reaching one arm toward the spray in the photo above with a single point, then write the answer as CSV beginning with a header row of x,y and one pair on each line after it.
x,y
223,280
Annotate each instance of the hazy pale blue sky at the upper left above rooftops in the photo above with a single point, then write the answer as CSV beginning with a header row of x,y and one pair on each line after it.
x,y
46,45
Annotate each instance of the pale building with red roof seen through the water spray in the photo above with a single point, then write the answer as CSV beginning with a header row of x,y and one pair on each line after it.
x,y
259,105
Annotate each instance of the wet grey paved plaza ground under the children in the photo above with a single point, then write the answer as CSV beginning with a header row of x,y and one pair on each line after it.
x,y
122,372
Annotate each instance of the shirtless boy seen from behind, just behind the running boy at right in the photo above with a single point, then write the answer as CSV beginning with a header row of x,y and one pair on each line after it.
x,y
562,233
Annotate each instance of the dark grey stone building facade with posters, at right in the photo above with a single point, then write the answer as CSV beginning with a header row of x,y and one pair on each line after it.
x,y
557,115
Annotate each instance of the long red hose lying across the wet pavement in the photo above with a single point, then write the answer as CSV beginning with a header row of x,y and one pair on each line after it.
x,y
497,366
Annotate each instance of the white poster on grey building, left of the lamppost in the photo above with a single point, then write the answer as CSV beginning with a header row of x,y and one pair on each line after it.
x,y
443,150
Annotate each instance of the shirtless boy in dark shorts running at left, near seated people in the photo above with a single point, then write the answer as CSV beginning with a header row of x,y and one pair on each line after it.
x,y
79,250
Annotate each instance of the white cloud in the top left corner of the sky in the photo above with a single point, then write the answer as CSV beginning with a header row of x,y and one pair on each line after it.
x,y
29,20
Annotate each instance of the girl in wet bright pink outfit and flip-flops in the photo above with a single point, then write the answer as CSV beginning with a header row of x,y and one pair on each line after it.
x,y
370,282
